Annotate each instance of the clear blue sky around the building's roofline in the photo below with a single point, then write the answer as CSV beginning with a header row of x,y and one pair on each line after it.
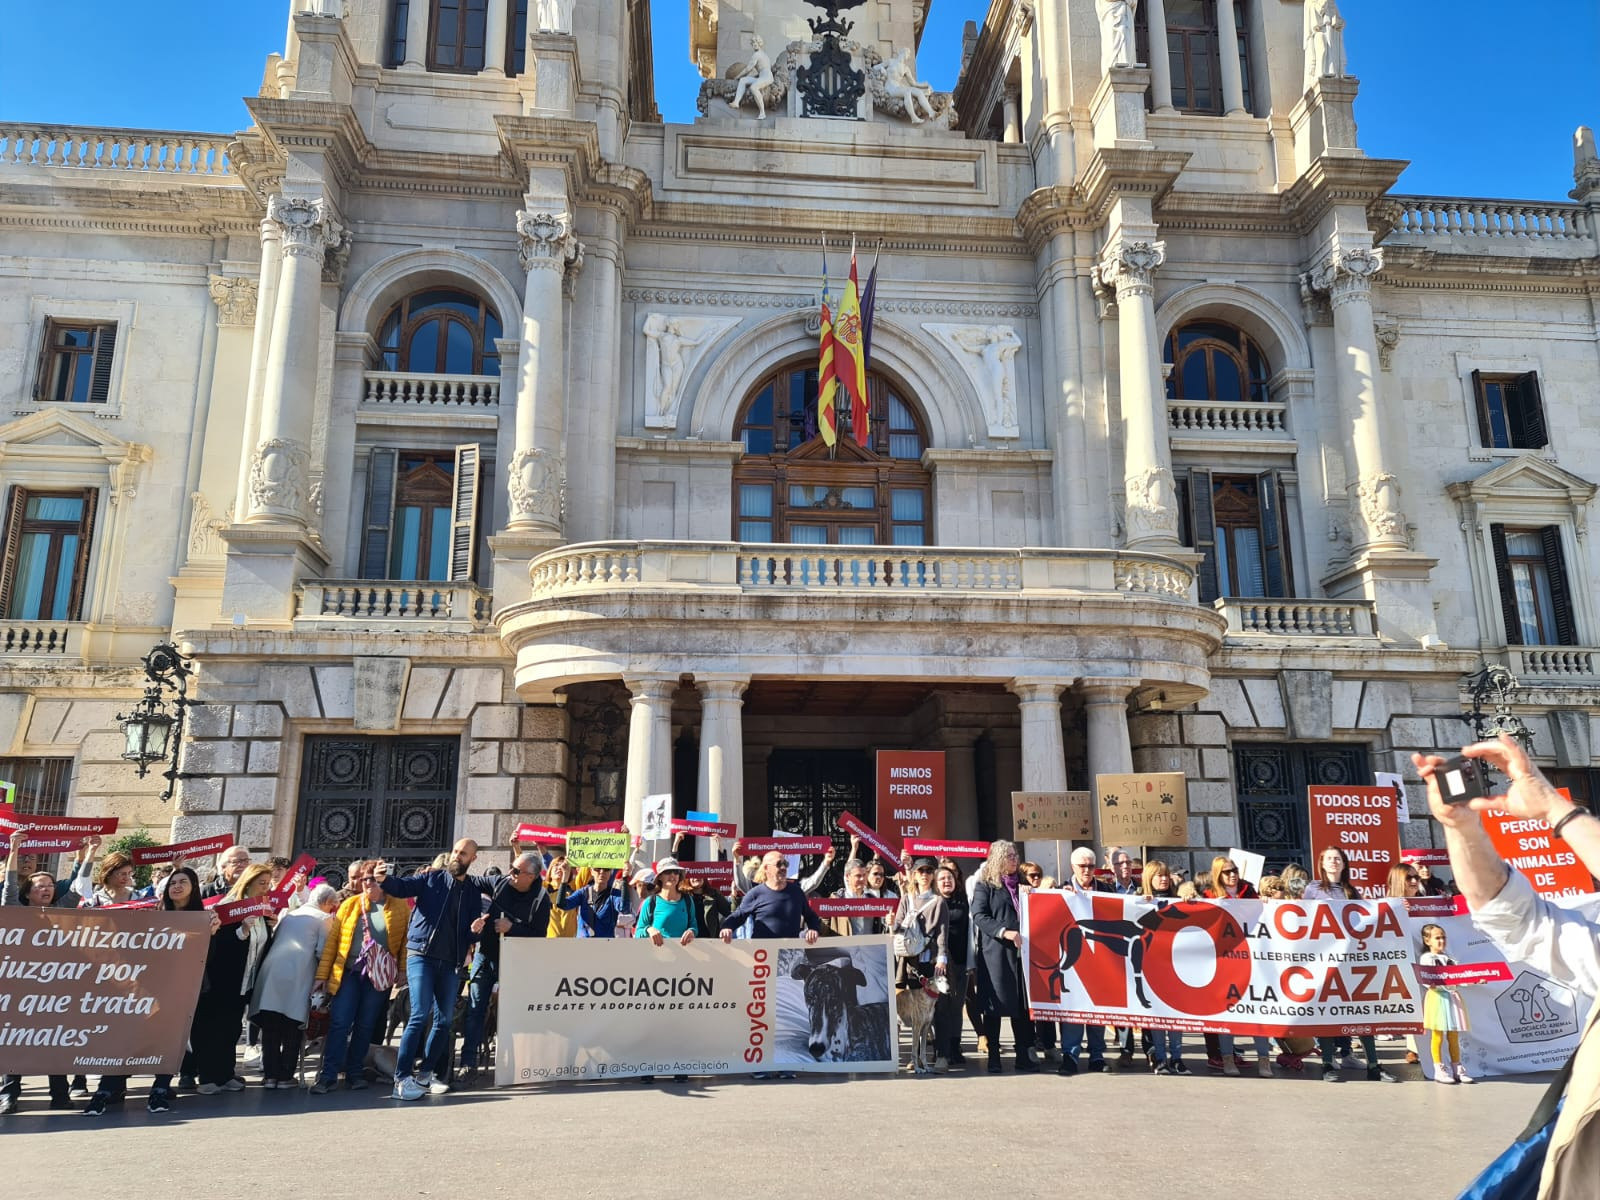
x,y
1481,95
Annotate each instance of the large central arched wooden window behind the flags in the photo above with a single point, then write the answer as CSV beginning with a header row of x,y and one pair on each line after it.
x,y
788,489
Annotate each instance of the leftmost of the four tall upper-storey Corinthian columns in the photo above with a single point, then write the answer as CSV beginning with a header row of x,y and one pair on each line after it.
x,y
281,460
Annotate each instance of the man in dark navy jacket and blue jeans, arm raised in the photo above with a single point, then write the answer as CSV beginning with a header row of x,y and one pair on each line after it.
x,y
438,943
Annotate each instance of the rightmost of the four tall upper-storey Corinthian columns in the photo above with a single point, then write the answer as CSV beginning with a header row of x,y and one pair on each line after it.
x,y
1346,279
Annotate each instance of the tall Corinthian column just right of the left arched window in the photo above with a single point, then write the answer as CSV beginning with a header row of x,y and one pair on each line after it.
x,y
537,474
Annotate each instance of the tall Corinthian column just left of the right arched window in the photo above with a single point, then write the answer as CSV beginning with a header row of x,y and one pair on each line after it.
x,y
1129,266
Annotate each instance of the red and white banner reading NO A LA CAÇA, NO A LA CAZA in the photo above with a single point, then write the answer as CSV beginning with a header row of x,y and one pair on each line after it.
x,y
1226,967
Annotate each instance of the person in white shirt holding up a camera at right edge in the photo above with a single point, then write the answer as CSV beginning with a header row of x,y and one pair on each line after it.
x,y
1527,927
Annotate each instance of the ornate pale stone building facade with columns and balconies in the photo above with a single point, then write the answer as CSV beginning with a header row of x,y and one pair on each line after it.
x,y
458,418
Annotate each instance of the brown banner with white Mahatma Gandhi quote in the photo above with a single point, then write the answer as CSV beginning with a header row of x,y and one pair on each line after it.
x,y
87,991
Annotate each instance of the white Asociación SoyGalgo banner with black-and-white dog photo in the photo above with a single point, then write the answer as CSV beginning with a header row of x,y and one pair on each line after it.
x,y
591,1009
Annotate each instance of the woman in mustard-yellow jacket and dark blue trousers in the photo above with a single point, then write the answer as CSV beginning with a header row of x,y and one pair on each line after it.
x,y
364,958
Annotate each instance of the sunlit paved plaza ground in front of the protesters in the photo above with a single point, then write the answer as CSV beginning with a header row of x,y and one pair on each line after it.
x,y
1130,1135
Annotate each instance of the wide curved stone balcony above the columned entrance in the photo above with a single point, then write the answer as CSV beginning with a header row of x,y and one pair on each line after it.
x,y
606,610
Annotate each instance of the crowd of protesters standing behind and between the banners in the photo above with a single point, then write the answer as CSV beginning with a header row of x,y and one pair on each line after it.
x,y
420,953
